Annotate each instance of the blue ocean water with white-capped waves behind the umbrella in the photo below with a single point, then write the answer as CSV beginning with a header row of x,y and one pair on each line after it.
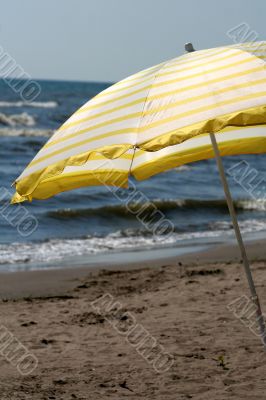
x,y
92,221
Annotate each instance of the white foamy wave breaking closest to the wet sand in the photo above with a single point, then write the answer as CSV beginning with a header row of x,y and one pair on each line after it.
x,y
128,239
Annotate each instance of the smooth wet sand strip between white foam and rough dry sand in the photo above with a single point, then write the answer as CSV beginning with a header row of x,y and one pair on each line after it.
x,y
59,281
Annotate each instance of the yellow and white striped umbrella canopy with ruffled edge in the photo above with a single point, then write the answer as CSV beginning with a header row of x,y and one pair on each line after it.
x,y
155,120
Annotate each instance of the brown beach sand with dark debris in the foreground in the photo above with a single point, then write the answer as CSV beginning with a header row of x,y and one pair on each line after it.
x,y
84,352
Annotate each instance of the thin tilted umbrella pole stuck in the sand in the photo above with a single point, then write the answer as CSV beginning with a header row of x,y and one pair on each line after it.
x,y
241,245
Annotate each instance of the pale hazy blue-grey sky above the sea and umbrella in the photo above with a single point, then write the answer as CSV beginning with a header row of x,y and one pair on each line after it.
x,y
110,39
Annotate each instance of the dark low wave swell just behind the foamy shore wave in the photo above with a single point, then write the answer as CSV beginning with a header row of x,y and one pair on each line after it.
x,y
125,210
